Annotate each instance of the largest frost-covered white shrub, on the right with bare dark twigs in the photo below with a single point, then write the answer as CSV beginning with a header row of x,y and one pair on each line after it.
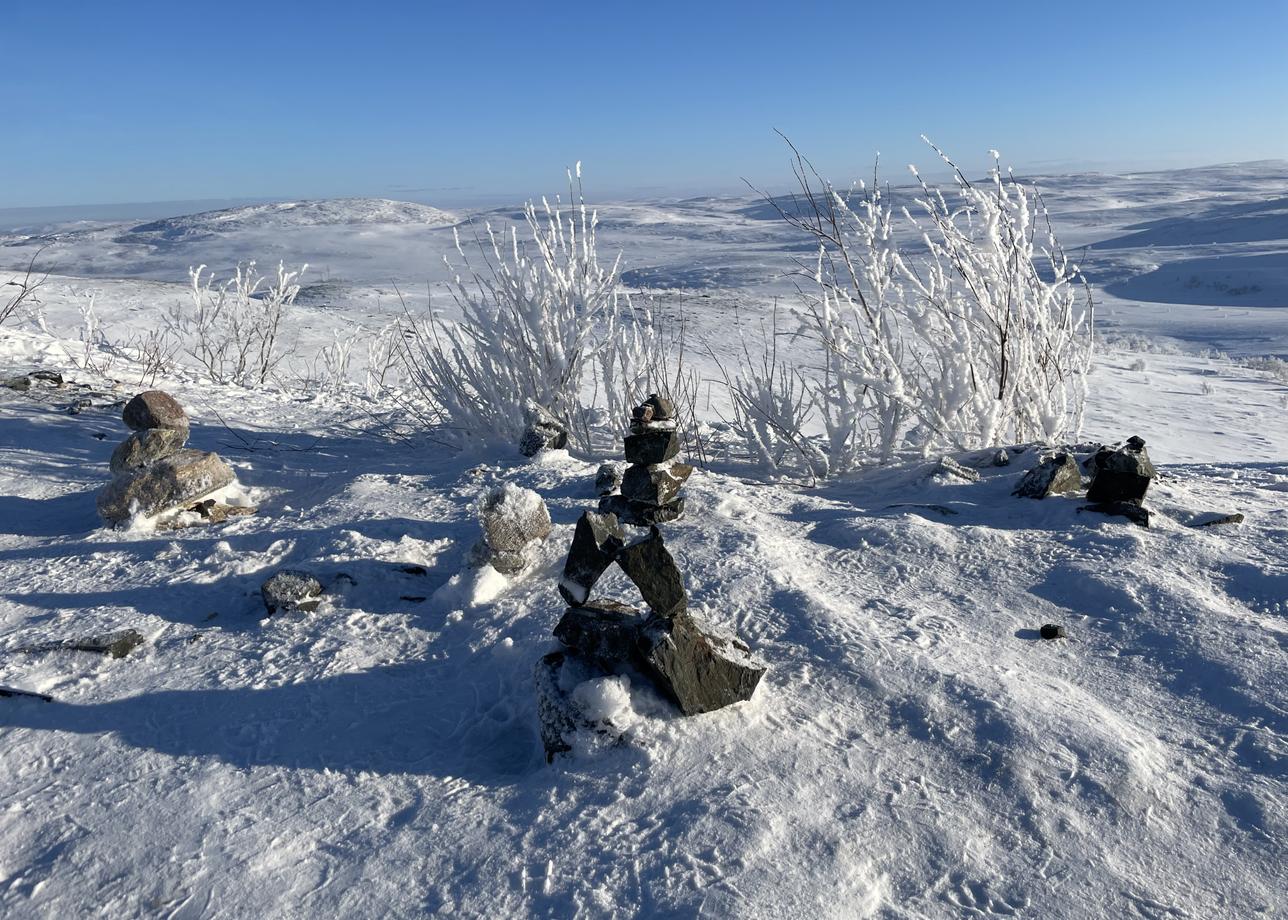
x,y
986,338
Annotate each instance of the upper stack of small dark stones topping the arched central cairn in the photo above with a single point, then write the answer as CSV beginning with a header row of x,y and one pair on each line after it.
x,y
649,493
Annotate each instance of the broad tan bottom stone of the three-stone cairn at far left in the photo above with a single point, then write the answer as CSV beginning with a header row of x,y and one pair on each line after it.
x,y
166,485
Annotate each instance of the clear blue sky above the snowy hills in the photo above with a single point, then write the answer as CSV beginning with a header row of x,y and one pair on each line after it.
x,y
141,101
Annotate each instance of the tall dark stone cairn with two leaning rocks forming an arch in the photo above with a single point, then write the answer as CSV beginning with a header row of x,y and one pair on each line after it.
x,y
699,669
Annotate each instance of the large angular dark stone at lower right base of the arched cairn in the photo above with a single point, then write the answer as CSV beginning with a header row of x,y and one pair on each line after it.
x,y
700,671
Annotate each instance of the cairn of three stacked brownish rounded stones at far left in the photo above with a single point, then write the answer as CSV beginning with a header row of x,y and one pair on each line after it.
x,y
153,471
